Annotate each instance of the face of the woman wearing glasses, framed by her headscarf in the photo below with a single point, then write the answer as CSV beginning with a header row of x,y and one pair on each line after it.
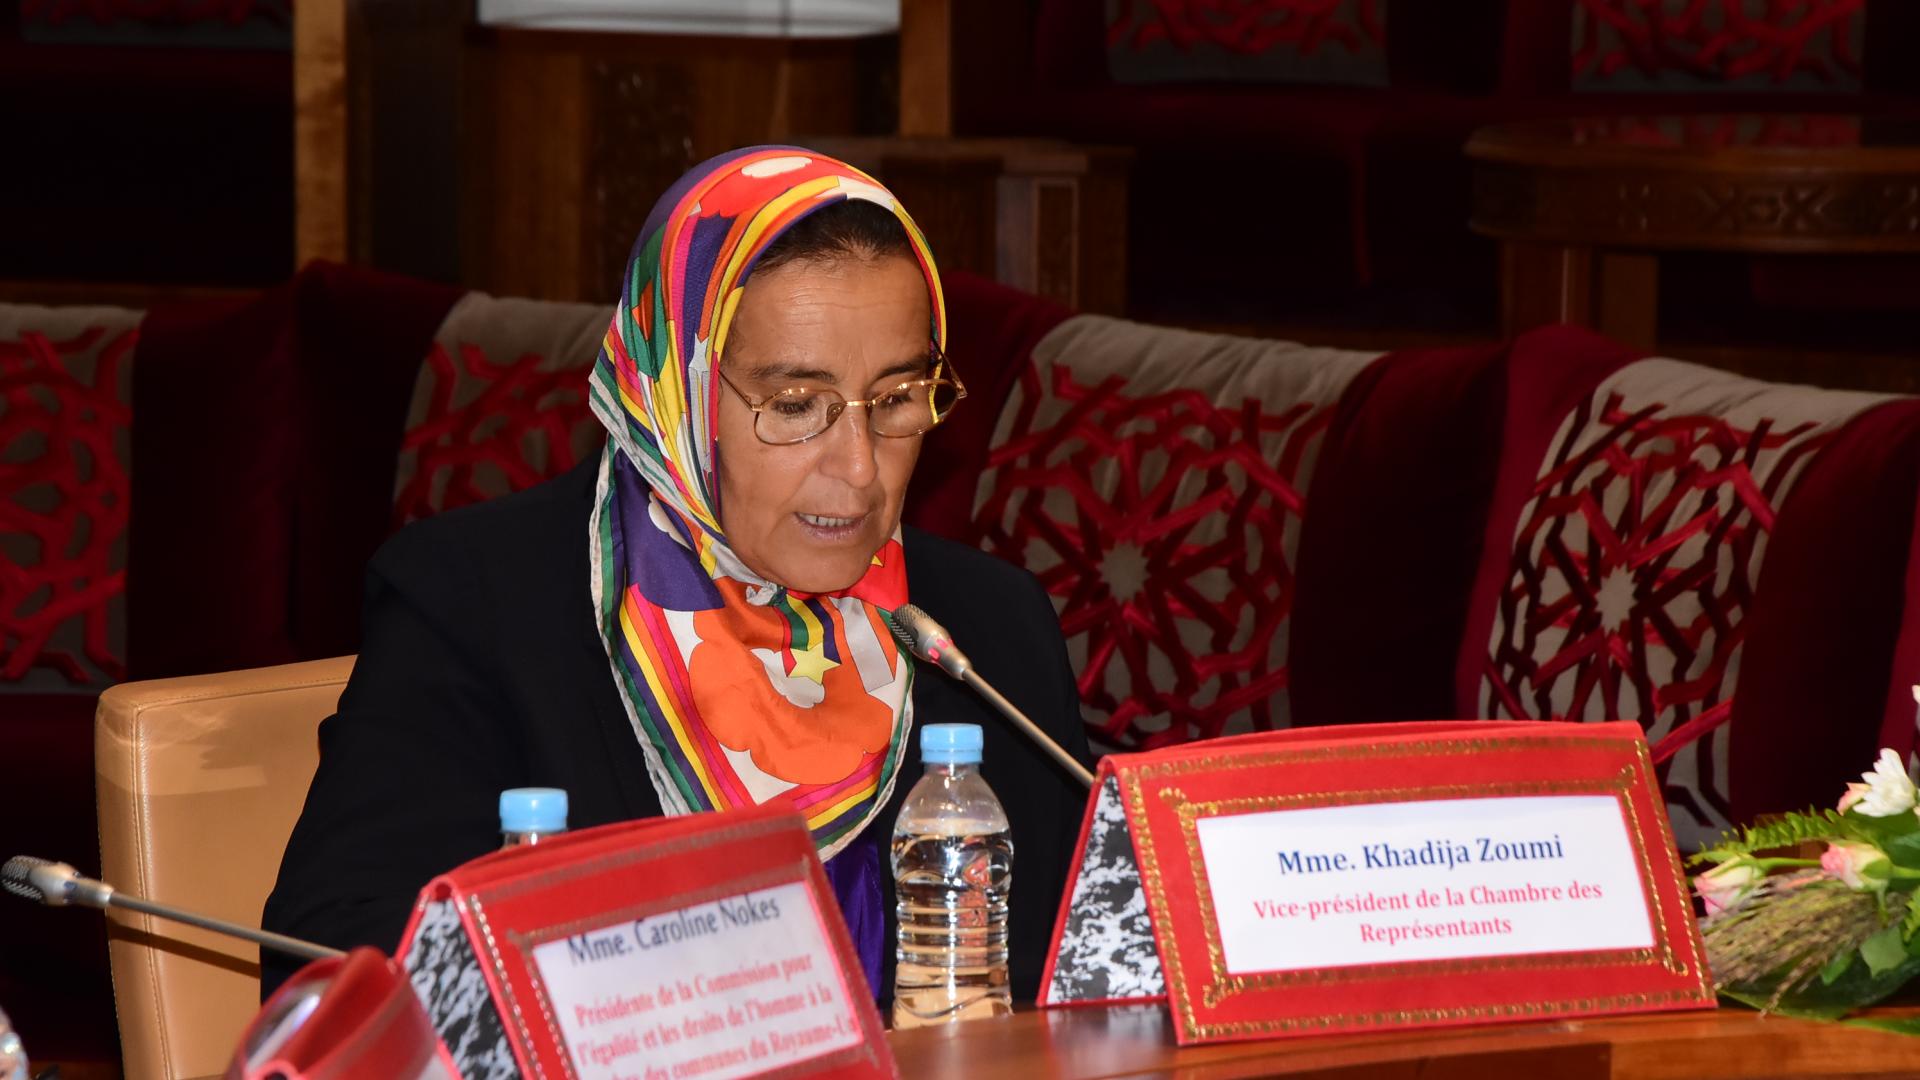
x,y
811,516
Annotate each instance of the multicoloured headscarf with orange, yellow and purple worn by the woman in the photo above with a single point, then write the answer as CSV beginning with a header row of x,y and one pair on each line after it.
x,y
738,689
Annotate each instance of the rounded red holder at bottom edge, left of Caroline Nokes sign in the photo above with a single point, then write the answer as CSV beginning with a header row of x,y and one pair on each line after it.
x,y
343,1019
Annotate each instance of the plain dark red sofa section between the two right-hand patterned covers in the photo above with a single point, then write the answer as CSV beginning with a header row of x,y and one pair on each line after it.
x,y
1393,539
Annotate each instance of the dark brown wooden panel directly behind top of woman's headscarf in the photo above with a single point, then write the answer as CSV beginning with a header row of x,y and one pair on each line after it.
x,y
588,130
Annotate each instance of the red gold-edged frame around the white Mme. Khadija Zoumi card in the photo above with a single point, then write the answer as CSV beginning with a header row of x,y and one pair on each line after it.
x,y
1168,793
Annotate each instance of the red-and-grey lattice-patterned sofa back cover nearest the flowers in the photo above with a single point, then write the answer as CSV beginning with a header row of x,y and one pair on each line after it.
x,y
1639,556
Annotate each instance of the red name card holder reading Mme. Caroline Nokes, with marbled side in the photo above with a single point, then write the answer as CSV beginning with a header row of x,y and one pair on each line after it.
x,y
694,946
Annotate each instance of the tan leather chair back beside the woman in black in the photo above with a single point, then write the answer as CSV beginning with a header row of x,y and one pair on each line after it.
x,y
201,781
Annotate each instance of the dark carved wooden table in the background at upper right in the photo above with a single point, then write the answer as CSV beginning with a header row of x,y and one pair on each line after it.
x,y
1583,207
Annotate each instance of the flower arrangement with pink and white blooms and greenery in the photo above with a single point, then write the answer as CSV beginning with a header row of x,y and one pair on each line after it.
x,y
1813,914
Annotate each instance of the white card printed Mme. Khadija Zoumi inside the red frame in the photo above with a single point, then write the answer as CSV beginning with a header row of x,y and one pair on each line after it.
x,y
1424,881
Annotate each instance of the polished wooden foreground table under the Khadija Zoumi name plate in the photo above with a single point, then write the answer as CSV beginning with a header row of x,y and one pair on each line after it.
x,y
1138,1041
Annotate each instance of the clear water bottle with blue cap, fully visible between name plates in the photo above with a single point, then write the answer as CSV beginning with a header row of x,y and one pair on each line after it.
x,y
953,866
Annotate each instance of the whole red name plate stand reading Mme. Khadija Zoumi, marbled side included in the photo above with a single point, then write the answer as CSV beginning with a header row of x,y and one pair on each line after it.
x,y
1381,877
